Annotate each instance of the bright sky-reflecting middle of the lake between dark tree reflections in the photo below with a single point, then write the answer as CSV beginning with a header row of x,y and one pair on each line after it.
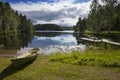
x,y
52,41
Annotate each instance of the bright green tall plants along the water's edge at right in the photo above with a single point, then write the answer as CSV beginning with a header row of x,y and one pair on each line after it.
x,y
89,57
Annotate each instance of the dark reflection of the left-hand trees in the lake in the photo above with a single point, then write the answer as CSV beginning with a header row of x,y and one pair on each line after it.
x,y
11,43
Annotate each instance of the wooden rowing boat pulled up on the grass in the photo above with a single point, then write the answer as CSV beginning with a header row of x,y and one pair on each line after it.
x,y
25,58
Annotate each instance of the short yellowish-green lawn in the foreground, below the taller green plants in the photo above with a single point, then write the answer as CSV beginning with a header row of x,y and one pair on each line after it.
x,y
44,69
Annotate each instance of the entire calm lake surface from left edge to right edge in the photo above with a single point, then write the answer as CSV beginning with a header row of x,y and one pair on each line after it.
x,y
51,41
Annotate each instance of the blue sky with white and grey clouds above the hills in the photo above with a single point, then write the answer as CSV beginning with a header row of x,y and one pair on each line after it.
x,y
61,12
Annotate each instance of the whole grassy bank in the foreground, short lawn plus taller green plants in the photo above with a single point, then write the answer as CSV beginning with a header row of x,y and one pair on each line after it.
x,y
64,67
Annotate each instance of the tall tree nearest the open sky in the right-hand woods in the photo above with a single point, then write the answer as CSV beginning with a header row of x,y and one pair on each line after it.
x,y
93,18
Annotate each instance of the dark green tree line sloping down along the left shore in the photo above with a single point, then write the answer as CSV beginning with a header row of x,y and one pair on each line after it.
x,y
13,22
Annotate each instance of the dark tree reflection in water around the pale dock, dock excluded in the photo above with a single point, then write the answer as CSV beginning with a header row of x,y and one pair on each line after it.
x,y
96,45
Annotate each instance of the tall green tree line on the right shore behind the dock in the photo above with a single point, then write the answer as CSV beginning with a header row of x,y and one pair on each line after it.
x,y
103,16
